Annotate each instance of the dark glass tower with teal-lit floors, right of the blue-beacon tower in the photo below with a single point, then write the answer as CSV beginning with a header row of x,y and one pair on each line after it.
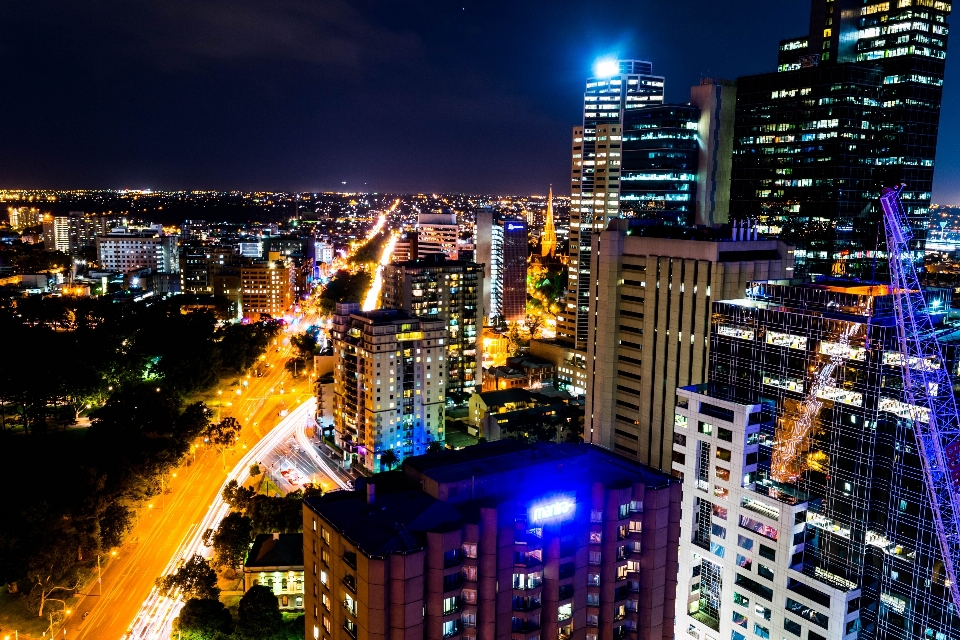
x,y
658,167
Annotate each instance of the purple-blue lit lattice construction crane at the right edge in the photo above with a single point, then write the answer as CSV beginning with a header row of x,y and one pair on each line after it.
x,y
927,387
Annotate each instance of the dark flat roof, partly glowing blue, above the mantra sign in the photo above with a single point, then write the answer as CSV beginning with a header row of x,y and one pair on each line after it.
x,y
406,504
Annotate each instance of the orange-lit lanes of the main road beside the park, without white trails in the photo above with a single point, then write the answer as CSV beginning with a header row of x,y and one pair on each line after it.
x,y
165,526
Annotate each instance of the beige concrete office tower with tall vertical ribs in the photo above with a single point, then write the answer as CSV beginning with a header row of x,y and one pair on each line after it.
x,y
650,315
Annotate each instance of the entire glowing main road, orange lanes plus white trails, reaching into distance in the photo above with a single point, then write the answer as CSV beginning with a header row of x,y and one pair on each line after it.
x,y
171,527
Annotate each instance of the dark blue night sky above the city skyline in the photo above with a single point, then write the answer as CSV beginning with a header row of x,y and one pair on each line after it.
x,y
385,95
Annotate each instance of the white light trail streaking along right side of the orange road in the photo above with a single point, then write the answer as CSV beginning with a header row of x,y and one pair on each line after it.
x,y
155,619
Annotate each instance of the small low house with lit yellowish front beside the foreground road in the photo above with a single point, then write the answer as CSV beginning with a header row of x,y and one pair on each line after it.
x,y
276,561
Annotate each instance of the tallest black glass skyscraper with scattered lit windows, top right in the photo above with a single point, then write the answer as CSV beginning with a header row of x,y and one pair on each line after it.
x,y
853,107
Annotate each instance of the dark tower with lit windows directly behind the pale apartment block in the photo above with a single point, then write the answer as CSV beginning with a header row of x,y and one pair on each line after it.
x,y
435,288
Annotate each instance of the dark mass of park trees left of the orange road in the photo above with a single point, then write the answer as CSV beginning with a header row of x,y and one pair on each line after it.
x,y
132,368
